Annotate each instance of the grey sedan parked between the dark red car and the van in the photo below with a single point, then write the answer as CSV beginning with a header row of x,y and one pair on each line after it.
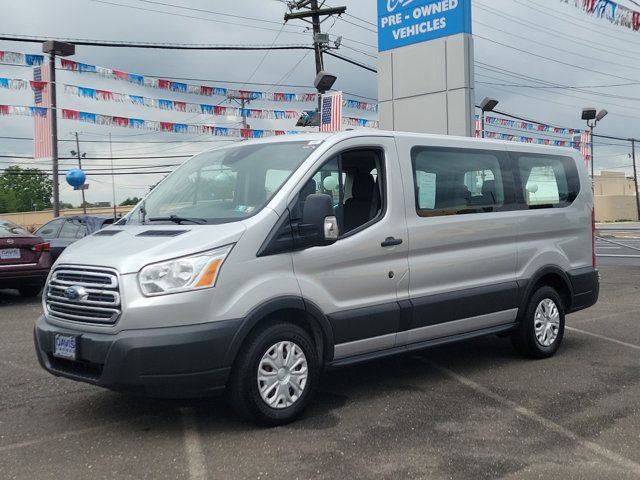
x,y
63,231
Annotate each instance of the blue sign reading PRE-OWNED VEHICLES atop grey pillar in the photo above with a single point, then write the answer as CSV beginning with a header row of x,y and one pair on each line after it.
x,y
405,22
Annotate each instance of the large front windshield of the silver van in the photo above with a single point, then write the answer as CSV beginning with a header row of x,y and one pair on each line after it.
x,y
223,185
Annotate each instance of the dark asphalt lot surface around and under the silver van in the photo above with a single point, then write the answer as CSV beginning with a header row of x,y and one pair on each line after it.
x,y
466,411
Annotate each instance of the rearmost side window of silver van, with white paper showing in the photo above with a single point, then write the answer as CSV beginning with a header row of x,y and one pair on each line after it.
x,y
547,181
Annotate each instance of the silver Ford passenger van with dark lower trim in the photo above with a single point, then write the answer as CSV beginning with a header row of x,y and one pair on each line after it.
x,y
255,266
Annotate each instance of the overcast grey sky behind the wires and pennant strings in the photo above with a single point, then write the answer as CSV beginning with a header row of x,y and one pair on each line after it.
x,y
600,54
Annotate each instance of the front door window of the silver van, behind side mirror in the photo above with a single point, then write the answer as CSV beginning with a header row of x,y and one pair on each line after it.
x,y
355,181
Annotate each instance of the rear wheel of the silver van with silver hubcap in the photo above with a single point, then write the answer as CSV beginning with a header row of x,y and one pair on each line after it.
x,y
545,310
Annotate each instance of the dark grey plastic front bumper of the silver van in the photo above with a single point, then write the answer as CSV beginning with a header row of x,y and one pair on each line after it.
x,y
172,362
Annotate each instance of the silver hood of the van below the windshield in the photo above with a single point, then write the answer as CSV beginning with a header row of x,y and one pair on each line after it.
x,y
128,248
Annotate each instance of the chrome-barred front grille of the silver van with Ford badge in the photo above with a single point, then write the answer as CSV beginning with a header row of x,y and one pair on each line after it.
x,y
100,305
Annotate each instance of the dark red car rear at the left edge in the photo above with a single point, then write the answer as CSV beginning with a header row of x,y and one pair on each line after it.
x,y
25,259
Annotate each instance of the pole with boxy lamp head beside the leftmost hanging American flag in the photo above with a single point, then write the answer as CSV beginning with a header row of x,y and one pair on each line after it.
x,y
62,49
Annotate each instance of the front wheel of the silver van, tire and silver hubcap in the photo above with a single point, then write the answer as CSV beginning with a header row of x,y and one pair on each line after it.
x,y
255,367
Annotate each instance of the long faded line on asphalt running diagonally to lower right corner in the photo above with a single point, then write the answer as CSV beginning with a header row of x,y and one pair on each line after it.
x,y
621,461
